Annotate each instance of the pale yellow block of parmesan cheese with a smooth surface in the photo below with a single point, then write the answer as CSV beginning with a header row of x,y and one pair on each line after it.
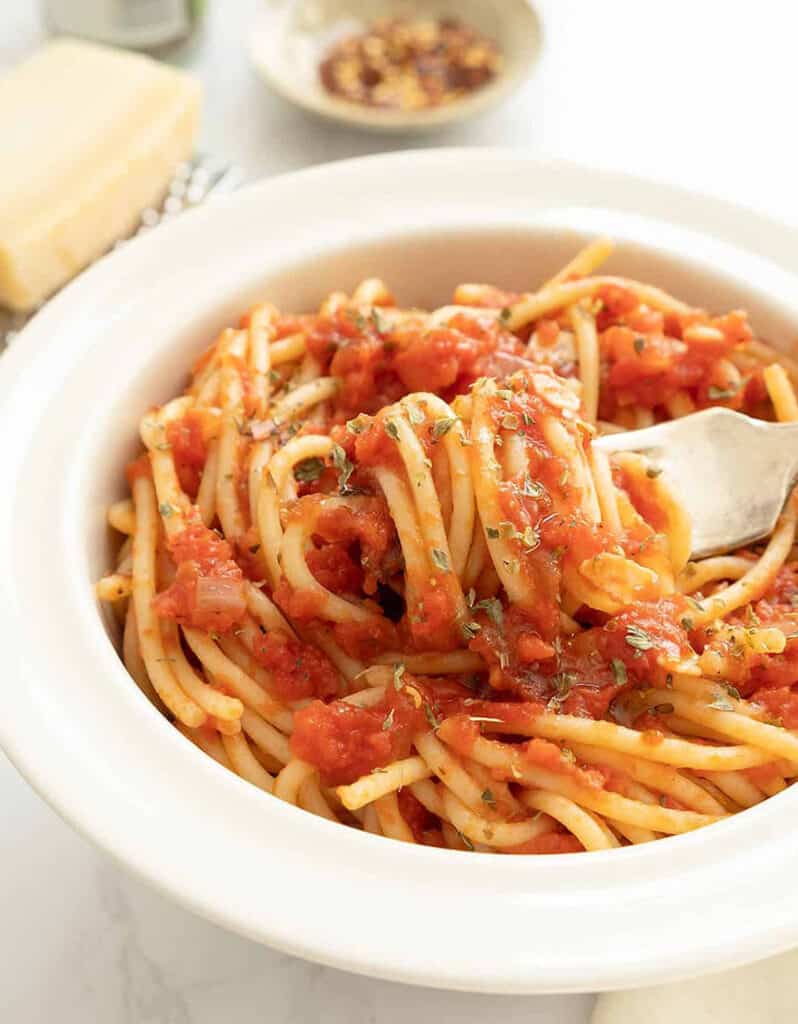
x,y
91,138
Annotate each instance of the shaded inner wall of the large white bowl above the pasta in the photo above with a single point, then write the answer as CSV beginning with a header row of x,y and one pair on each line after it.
x,y
422,270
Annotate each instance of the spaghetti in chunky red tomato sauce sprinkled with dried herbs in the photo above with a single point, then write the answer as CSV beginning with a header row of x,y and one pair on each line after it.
x,y
374,566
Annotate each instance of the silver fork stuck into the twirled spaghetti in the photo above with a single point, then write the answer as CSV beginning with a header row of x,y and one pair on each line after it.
x,y
734,475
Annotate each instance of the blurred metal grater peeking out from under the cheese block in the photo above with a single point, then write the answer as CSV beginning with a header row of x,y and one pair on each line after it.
x,y
193,183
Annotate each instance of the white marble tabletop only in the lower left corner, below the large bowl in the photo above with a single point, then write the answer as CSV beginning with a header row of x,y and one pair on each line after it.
x,y
83,944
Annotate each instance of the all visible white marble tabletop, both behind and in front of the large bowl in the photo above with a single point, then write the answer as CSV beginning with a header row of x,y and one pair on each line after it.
x,y
693,92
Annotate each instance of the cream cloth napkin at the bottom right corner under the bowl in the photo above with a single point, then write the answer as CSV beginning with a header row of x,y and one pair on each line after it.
x,y
762,994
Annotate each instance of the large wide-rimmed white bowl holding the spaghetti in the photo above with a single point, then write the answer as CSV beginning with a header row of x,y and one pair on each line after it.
x,y
119,339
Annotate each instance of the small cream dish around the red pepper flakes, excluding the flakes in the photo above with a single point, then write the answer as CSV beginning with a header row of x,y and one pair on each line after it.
x,y
291,37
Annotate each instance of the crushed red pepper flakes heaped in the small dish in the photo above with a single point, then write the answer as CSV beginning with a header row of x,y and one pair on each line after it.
x,y
410,65
